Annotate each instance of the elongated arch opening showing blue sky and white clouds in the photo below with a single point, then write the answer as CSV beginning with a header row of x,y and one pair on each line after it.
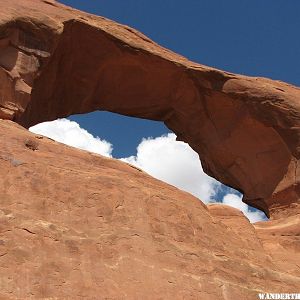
x,y
150,146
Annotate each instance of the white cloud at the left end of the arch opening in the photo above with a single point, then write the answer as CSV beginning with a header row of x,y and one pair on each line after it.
x,y
70,133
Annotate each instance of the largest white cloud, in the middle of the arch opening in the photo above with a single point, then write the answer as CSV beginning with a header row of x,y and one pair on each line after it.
x,y
175,163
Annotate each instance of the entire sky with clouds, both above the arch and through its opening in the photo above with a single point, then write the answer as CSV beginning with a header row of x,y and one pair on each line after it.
x,y
258,38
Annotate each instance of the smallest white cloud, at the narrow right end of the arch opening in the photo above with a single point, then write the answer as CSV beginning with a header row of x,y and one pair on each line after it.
x,y
236,202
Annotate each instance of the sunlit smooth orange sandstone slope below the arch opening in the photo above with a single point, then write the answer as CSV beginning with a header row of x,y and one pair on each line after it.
x,y
75,225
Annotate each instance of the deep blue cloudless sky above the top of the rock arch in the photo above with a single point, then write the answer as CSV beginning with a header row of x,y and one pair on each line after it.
x,y
259,38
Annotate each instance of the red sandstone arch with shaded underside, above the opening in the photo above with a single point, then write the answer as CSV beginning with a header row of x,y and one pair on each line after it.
x,y
56,61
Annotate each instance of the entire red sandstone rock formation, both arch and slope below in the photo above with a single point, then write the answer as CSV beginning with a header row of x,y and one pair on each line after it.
x,y
77,225
